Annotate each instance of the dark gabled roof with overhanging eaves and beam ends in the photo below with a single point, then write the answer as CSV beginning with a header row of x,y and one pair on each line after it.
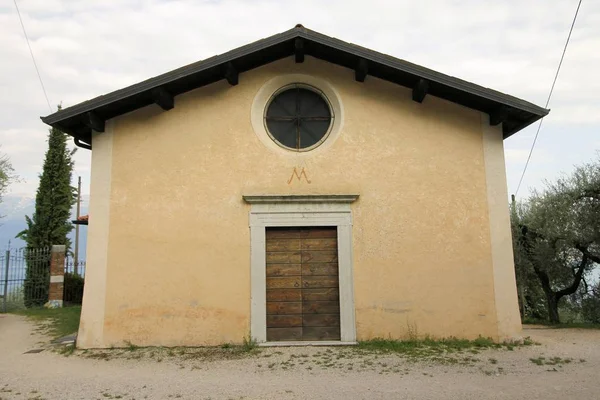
x,y
78,120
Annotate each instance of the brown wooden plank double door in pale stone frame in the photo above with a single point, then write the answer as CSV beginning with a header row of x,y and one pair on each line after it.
x,y
302,284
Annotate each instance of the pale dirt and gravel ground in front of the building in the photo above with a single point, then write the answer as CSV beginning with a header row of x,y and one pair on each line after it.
x,y
570,368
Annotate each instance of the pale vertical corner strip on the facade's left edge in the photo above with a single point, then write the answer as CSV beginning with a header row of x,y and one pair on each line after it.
x,y
91,327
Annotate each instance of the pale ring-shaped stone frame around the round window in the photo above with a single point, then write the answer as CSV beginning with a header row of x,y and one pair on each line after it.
x,y
277,85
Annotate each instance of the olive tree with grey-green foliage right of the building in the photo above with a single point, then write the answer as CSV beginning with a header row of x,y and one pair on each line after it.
x,y
556,240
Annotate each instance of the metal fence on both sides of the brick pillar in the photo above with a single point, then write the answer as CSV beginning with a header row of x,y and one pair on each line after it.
x,y
25,279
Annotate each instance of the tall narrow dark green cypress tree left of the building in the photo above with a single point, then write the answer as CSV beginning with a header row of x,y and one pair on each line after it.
x,y
50,223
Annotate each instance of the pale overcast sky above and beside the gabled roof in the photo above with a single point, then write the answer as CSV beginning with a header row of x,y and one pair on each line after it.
x,y
86,48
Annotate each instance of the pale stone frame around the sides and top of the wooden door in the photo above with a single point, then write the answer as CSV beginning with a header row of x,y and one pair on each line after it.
x,y
263,215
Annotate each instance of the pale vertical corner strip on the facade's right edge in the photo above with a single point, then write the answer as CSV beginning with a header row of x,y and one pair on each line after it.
x,y
505,287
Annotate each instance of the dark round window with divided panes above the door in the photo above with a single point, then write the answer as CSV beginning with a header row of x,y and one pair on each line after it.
x,y
298,117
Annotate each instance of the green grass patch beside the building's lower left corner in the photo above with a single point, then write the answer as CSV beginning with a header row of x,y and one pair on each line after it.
x,y
55,322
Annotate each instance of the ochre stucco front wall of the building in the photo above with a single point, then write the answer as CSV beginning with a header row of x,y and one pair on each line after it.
x,y
169,239
